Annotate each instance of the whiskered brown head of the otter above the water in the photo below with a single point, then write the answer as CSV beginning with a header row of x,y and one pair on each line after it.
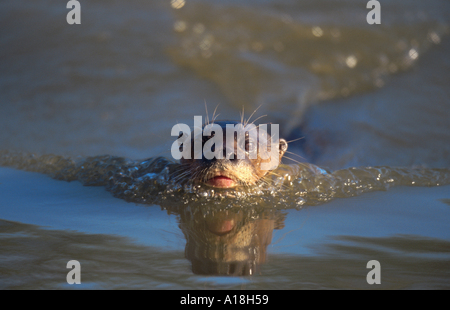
x,y
221,157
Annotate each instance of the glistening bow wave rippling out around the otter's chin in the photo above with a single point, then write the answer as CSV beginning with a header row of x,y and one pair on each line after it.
x,y
152,181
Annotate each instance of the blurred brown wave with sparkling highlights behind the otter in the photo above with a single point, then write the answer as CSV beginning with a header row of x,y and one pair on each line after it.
x,y
264,55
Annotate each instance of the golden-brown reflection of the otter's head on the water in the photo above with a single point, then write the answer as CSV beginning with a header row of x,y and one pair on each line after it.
x,y
231,241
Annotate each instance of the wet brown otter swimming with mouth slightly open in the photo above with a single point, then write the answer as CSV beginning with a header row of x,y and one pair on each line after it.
x,y
232,170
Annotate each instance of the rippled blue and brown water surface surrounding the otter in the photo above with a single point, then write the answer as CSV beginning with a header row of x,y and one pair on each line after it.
x,y
372,103
